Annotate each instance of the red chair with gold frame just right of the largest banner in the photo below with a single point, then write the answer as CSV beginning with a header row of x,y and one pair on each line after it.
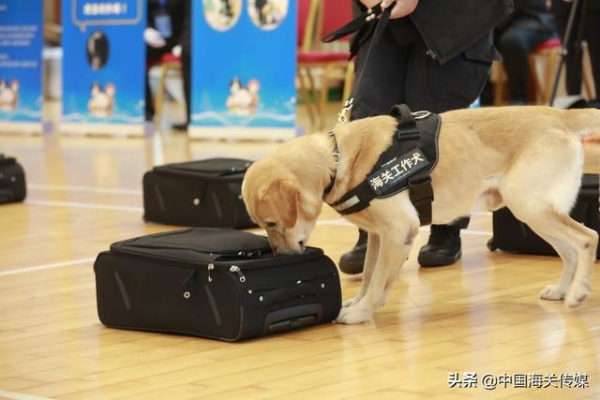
x,y
316,17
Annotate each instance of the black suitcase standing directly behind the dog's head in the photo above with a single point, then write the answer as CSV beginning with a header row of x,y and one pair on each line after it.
x,y
204,193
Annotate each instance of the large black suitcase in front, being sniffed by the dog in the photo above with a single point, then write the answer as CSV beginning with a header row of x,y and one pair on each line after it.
x,y
216,283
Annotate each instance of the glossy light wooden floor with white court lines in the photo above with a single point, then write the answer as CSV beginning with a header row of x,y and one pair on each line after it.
x,y
473,330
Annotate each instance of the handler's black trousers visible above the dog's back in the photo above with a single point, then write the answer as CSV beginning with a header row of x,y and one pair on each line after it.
x,y
395,74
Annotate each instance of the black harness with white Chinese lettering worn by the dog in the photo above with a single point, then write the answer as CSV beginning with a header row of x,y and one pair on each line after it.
x,y
406,164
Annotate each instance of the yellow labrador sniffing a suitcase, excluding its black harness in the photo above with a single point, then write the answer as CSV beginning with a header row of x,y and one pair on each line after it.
x,y
529,159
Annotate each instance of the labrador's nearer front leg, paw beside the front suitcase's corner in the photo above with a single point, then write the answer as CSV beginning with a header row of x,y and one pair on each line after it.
x,y
374,290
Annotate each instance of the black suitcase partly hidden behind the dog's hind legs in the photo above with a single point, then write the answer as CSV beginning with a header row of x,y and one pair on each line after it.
x,y
512,235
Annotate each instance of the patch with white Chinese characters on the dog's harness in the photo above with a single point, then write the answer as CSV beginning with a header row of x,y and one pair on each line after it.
x,y
396,170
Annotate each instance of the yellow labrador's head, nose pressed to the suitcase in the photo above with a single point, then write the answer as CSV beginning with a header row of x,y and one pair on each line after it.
x,y
279,202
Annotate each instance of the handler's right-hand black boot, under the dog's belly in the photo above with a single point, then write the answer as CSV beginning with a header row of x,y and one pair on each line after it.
x,y
443,247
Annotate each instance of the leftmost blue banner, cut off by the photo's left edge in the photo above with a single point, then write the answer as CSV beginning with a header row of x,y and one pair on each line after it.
x,y
21,41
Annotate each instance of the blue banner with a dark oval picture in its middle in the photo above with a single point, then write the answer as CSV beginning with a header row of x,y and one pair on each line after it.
x,y
104,60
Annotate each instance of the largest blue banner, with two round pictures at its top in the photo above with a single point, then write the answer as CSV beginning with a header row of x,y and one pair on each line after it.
x,y
243,67
